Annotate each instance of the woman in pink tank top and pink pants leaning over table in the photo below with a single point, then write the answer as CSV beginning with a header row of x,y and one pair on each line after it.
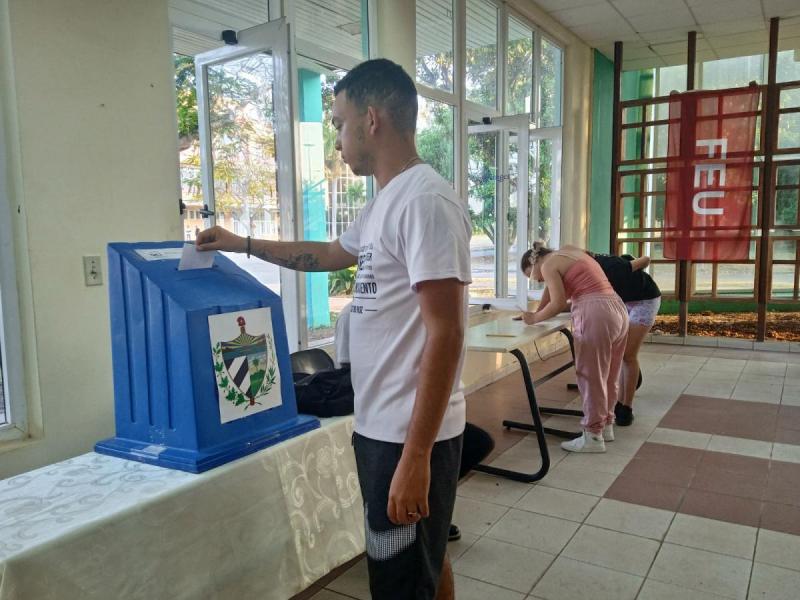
x,y
599,326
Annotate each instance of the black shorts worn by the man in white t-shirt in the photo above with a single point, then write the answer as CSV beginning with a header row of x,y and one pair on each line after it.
x,y
405,561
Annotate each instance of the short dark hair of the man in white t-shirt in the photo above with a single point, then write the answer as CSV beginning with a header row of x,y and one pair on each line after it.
x,y
382,84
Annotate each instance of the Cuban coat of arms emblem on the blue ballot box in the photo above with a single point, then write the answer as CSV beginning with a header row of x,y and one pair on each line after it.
x,y
245,363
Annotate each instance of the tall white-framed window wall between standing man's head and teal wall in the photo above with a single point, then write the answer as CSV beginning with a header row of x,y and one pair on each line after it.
x,y
508,76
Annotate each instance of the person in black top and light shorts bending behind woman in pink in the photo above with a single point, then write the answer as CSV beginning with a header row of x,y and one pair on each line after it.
x,y
642,299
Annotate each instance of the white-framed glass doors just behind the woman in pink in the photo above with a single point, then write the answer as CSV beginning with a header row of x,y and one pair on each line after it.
x,y
512,202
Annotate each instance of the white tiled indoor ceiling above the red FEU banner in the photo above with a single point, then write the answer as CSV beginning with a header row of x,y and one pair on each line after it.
x,y
654,32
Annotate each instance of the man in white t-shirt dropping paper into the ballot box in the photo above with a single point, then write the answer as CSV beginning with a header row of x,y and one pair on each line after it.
x,y
407,323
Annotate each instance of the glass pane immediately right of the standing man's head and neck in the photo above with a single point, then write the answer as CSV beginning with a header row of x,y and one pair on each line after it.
x,y
435,135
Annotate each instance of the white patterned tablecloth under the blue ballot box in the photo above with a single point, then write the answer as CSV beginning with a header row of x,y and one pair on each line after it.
x,y
263,527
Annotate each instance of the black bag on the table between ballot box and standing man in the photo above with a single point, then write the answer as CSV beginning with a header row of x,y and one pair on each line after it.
x,y
325,393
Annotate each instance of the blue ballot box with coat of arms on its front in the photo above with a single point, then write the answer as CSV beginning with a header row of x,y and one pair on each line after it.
x,y
202,373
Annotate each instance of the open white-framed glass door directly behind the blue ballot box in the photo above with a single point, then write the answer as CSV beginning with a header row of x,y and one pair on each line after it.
x,y
247,160
